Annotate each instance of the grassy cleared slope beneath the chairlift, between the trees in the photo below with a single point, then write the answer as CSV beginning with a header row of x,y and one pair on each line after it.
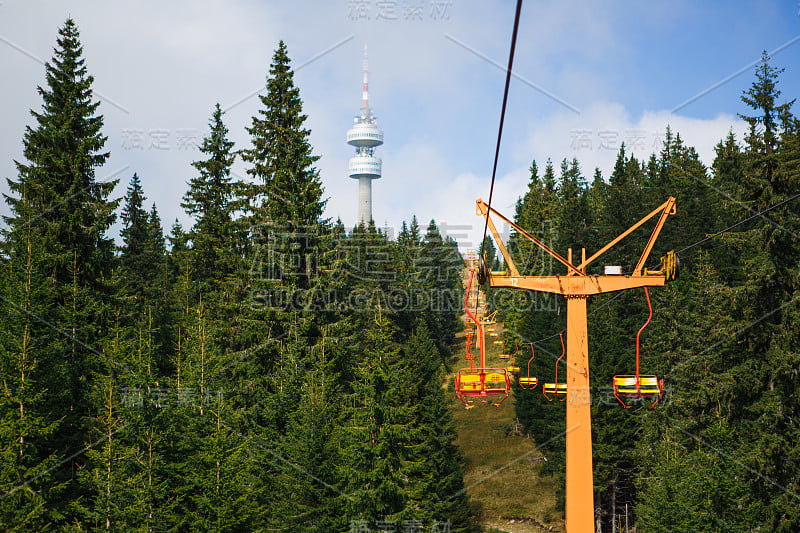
x,y
501,471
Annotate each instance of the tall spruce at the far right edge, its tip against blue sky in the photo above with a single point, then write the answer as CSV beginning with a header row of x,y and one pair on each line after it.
x,y
769,253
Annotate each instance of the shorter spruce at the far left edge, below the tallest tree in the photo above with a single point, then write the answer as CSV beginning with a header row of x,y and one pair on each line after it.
x,y
25,477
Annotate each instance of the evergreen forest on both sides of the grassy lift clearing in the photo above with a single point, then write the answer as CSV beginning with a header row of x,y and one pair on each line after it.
x,y
267,369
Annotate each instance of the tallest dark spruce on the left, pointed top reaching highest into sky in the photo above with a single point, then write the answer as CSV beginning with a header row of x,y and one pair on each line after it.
x,y
68,213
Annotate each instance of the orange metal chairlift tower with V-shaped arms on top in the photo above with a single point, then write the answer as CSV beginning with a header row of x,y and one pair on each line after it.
x,y
576,286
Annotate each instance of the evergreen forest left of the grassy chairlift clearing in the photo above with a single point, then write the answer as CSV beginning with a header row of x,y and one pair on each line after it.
x,y
264,369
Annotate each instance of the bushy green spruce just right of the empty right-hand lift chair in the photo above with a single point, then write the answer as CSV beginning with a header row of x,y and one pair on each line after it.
x,y
681,483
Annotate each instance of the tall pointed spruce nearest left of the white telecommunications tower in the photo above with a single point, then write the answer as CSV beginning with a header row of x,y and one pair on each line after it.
x,y
292,282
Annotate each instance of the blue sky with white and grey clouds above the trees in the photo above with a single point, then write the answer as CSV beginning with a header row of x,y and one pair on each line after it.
x,y
591,75
